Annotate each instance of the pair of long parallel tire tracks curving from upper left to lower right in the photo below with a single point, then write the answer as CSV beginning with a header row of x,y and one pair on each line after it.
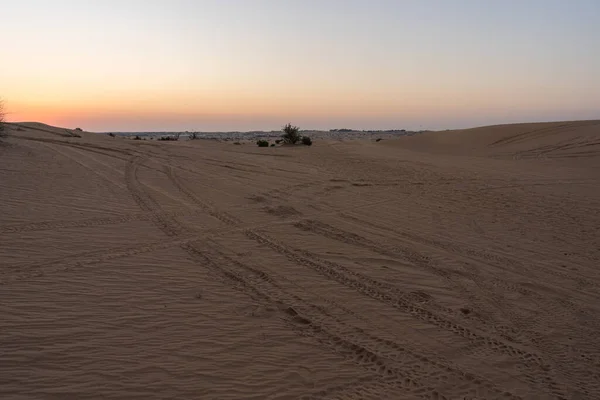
x,y
319,330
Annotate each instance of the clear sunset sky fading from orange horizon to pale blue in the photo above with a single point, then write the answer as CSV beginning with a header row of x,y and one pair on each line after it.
x,y
160,65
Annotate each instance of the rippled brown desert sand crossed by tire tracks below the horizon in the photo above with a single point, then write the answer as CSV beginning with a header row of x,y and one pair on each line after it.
x,y
448,265
